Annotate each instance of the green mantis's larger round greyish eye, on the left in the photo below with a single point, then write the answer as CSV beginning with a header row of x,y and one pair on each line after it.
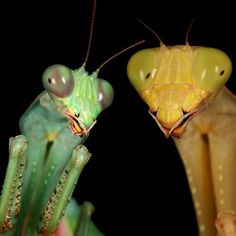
x,y
58,80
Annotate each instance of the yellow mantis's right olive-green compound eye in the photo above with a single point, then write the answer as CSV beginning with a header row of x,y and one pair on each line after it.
x,y
211,68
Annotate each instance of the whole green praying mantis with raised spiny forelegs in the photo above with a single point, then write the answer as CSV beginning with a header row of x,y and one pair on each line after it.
x,y
46,160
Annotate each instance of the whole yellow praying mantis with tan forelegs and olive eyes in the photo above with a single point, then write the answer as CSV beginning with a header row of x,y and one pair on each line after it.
x,y
183,86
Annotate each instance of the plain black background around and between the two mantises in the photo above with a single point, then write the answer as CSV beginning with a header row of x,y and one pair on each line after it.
x,y
135,177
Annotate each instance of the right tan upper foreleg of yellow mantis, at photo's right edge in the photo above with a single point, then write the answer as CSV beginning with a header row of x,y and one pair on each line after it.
x,y
222,140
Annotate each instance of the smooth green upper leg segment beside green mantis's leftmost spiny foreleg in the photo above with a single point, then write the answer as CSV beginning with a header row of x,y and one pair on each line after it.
x,y
32,125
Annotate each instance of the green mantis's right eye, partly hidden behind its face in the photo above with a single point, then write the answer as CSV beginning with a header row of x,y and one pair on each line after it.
x,y
105,93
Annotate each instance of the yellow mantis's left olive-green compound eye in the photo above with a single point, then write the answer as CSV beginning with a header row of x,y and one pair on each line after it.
x,y
141,68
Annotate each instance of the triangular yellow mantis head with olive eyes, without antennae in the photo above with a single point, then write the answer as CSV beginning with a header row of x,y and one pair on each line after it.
x,y
177,82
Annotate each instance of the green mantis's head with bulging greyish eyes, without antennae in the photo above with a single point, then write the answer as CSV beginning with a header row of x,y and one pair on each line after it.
x,y
79,97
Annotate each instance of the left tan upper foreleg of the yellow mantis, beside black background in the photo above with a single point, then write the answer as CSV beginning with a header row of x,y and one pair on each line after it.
x,y
195,156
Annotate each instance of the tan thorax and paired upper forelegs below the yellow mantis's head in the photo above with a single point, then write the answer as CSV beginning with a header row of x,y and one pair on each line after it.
x,y
208,151
